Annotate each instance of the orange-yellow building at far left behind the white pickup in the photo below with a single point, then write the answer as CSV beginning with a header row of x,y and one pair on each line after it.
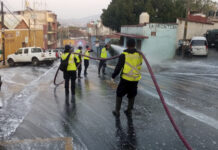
x,y
18,34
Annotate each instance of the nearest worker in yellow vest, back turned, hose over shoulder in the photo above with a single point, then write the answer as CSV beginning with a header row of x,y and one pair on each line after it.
x,y
129,64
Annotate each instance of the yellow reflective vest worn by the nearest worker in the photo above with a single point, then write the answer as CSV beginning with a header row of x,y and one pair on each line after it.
x,y
132,67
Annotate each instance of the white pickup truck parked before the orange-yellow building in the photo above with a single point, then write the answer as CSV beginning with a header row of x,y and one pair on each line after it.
x,y
34,55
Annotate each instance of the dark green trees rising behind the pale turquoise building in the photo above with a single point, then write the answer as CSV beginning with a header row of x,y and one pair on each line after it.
x,y
127,12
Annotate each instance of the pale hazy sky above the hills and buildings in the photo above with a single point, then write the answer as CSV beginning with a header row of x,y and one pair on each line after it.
x,y
65,9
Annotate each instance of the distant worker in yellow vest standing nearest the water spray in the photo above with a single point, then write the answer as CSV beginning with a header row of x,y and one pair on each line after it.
x,y
103,62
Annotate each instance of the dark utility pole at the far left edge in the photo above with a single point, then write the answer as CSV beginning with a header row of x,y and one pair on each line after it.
x,y
3,32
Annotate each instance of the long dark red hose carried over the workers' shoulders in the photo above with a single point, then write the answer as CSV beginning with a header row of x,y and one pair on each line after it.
x,y
186,144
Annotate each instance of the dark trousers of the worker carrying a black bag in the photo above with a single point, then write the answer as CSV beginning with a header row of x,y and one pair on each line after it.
x,y
70,75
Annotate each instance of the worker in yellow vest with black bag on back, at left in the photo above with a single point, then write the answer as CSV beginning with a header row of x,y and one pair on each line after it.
x,y
70,73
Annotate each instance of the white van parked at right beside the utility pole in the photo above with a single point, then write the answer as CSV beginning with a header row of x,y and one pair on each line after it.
x,y
199,46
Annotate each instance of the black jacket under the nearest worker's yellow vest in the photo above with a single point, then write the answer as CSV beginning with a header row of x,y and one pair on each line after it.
x,y
121,62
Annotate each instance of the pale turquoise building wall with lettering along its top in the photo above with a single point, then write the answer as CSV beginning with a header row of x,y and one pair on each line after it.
x,y
161,42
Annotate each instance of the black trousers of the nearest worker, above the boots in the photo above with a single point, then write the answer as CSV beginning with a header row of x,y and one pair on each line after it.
x,y
127,87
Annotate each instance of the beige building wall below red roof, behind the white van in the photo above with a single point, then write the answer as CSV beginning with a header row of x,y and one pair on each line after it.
x,y
194,29
